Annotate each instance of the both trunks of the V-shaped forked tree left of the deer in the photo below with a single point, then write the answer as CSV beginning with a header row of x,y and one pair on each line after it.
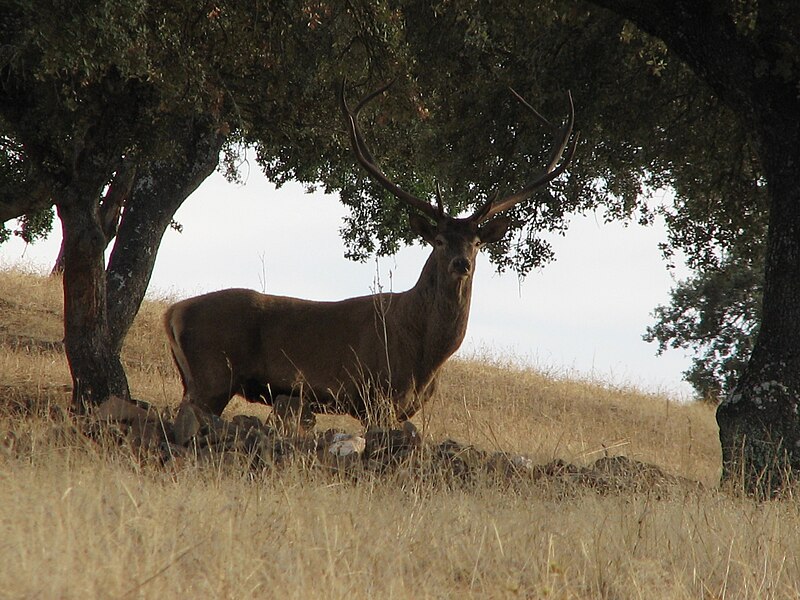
x,y
100,304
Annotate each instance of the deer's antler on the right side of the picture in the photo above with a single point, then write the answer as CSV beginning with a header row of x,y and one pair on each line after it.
x,y
562,142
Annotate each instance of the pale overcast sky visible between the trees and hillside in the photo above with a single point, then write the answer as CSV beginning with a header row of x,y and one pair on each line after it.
x,y
582,315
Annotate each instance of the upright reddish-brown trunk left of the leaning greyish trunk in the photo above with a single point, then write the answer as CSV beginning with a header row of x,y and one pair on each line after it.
x,y
97,372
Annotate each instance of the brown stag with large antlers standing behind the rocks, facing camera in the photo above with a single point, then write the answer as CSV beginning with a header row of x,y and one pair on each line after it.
x,y
373,357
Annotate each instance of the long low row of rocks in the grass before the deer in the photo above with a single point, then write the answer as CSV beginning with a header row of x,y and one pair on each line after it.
x,y
191,436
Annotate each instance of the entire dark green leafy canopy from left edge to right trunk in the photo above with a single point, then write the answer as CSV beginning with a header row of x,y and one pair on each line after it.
x,y
88,80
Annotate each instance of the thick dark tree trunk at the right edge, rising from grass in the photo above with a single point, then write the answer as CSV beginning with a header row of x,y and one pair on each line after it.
x,y
759,422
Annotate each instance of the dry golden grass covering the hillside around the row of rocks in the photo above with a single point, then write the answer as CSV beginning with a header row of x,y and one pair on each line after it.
x,y
84,519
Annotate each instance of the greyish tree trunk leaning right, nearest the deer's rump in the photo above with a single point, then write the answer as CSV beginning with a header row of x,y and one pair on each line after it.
x,y
158,193
